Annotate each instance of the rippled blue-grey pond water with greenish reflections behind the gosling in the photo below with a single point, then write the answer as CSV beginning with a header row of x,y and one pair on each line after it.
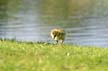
x,y
85,21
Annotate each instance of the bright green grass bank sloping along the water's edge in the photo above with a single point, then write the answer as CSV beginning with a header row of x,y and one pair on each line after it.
x,y
24,56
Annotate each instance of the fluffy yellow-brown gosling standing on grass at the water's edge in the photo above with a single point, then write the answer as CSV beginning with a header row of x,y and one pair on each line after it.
x,y
58,34
